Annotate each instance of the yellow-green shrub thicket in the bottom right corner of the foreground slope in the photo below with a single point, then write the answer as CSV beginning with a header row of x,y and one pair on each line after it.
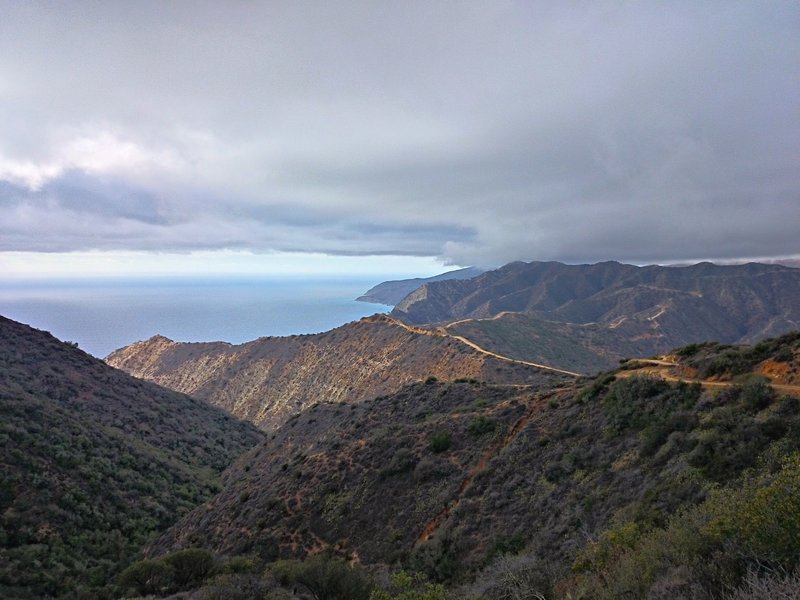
x,y
703,551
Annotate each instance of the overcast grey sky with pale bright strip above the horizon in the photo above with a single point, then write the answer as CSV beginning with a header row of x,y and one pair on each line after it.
x,y
321,136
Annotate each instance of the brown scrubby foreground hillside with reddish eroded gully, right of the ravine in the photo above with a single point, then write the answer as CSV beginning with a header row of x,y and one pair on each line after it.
x,y
626,485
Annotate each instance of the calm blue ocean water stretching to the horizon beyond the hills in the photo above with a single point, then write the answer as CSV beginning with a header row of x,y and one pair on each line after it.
x,y
103,315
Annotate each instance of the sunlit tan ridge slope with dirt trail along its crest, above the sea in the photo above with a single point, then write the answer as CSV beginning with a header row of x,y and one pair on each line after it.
x,y
270,379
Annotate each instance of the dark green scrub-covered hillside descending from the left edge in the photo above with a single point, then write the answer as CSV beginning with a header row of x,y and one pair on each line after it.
x,y
94,463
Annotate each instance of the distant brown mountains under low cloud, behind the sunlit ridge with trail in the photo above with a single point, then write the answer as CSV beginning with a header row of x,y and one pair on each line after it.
x,y
585,317
